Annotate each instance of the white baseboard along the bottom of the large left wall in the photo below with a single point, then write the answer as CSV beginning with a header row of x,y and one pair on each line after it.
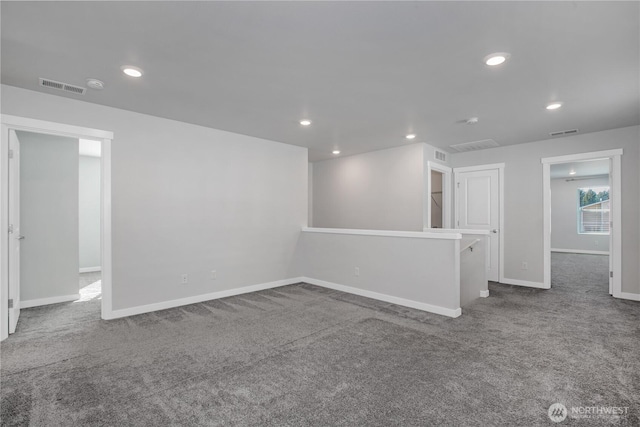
x,y
132,311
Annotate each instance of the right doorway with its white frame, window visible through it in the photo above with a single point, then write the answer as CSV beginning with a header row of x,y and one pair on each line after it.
x,y
581,208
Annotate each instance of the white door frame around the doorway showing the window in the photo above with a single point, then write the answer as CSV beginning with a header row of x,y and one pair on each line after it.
x,y
615,249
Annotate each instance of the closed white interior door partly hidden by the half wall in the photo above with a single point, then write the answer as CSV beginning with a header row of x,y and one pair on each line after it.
x,y
478,208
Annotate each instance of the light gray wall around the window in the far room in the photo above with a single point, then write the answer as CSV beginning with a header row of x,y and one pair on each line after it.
x,y
564,216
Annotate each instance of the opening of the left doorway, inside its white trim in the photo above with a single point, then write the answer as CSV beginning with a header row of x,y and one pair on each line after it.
x,y
59,195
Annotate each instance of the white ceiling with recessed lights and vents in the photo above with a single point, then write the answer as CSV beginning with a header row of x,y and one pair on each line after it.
x,y
365,73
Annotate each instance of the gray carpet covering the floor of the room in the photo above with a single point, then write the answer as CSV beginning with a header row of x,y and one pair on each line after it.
x,y
303,355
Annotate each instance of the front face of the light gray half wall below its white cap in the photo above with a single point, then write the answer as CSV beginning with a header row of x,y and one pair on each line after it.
x,y
420,270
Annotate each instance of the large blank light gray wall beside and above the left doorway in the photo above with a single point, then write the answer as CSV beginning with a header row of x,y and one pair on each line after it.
x,y
188,199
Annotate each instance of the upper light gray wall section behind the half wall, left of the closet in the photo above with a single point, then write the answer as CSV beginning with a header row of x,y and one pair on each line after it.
x,y
380,190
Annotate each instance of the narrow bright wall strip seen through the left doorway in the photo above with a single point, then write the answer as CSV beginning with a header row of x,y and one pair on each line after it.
x,y
89,211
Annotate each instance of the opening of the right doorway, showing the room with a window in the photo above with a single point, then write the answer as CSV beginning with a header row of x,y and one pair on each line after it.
x,y
580,226
